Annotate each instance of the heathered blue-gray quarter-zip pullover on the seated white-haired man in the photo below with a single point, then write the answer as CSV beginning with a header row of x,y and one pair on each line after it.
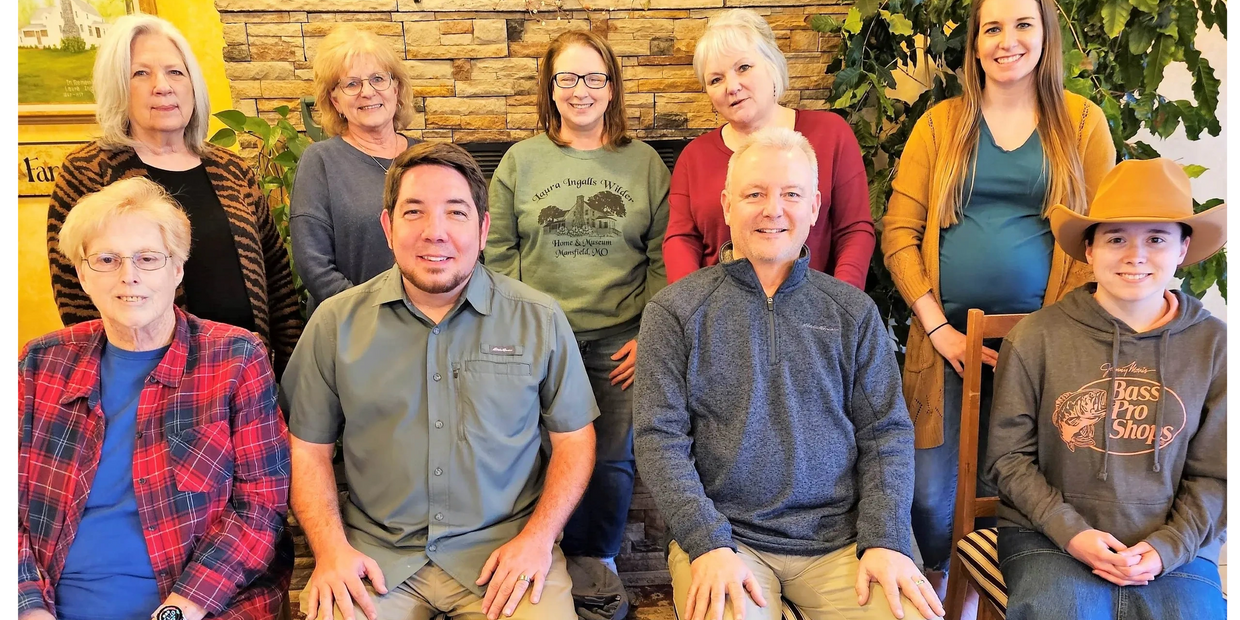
x,y
777,422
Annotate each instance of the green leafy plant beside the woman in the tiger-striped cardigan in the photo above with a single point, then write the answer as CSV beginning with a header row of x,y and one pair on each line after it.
x,y
280,149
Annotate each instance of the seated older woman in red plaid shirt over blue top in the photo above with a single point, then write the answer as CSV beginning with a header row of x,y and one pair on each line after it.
x,y
152,458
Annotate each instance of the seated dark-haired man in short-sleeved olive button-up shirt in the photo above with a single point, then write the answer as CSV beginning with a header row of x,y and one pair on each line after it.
x,y
438,376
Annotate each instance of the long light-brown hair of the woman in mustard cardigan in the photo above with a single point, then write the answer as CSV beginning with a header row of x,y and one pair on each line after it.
x,y
1062,161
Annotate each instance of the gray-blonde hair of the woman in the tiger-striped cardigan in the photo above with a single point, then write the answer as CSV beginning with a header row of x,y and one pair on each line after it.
x,y
112,76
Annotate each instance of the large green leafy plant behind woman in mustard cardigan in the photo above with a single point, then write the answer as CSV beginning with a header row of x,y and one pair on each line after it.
x,y
1115,53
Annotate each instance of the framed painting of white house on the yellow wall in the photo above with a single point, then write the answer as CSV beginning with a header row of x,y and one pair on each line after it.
x,y
55,44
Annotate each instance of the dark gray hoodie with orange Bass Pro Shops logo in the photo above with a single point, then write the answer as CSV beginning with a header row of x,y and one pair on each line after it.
x,y
1096,426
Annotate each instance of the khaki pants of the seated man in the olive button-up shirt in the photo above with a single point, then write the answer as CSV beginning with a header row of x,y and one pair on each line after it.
x,y
432,592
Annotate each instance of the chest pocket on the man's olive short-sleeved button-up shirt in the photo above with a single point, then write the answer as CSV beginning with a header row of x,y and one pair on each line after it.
x,y
495,399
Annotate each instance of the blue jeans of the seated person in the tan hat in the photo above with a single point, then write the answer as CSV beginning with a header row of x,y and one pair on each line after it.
x,y
1046,583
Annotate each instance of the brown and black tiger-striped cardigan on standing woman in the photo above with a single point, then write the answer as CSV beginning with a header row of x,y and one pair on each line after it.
x,y
265,262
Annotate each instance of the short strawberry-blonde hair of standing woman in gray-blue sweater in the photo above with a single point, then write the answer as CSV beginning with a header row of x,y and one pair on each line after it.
x,y
337,53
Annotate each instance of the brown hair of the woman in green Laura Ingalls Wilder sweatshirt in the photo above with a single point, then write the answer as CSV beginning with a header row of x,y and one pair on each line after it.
x,y
616,125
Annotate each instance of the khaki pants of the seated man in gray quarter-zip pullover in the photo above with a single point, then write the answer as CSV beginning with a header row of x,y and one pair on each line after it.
x,y
821,587
